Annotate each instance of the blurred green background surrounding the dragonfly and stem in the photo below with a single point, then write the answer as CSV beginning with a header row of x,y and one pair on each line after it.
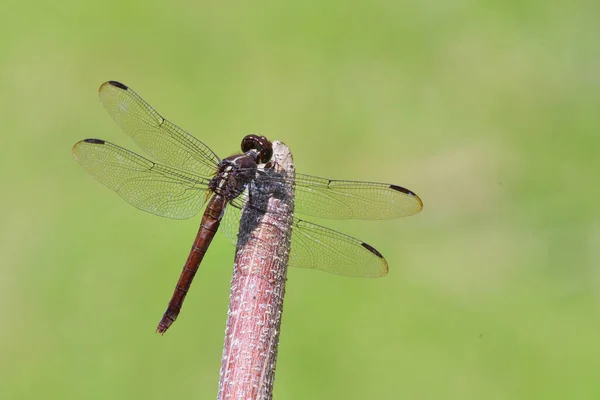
x,y
489,111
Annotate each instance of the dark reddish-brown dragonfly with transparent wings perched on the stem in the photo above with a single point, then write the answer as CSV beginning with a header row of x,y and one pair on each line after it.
x,y
182,174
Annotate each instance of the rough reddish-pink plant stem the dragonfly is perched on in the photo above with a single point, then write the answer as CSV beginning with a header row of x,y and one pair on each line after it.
x,y
258,285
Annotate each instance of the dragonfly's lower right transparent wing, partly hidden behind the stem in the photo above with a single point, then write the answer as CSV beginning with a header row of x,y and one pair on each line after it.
x,y
317,247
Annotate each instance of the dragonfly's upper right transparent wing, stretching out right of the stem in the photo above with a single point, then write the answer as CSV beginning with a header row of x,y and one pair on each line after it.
x,y
334,199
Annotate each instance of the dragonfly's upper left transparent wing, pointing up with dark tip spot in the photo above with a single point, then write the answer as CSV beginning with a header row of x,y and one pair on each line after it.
x,y
161,139
